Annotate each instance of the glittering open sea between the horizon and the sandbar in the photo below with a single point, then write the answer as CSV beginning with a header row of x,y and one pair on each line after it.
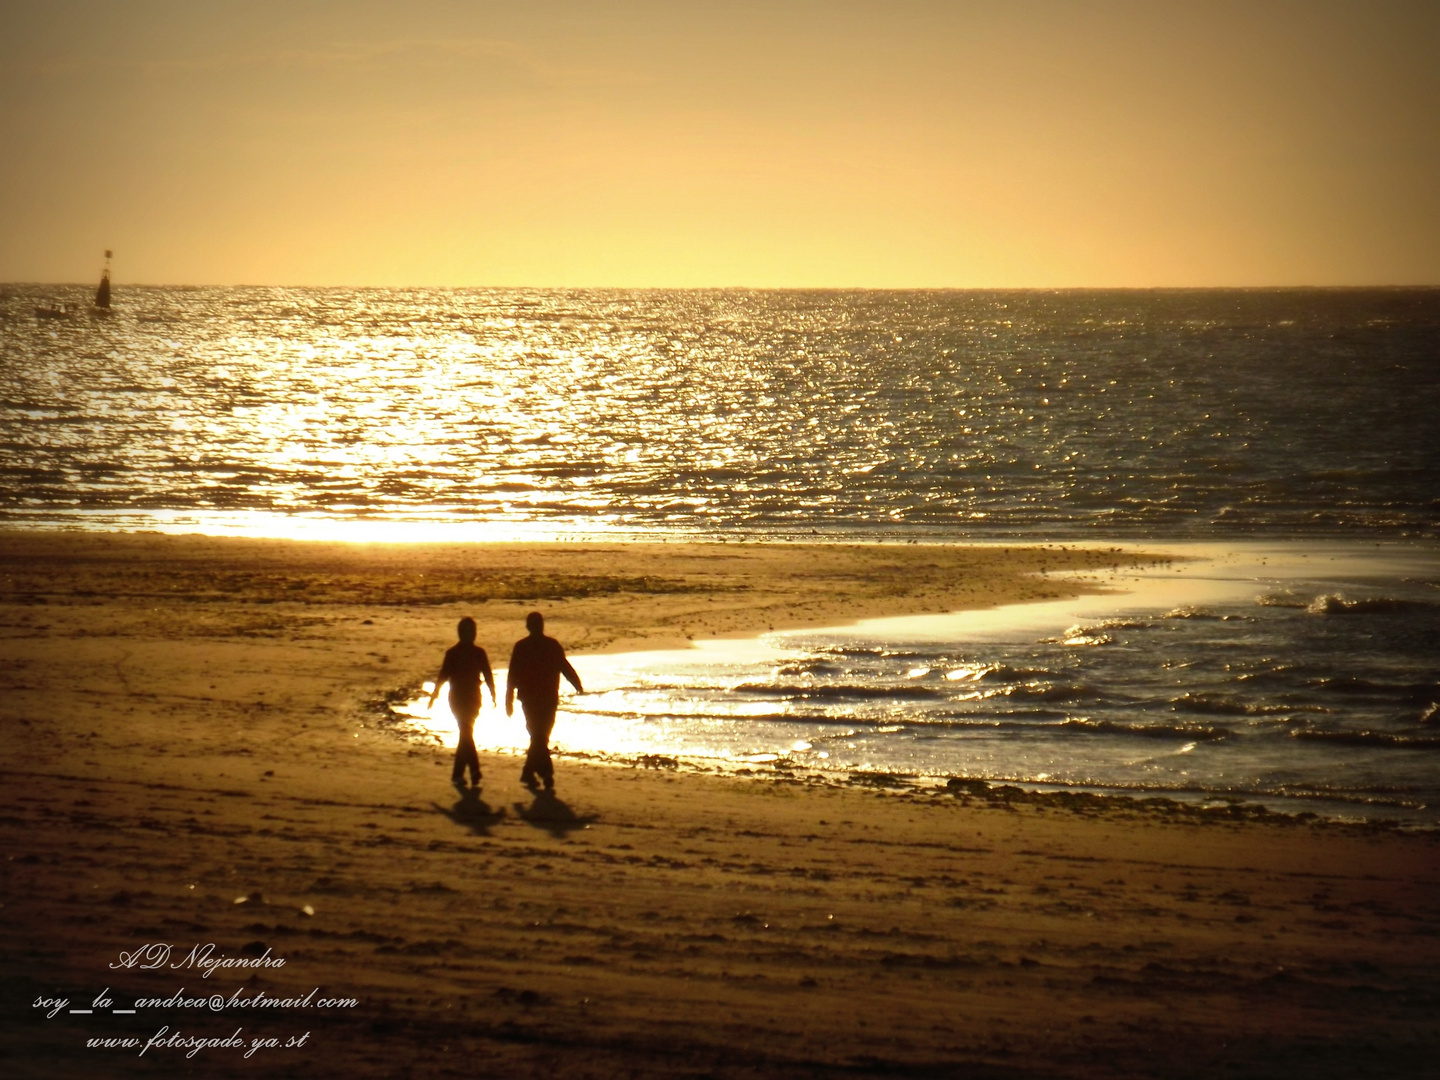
x,y
525,414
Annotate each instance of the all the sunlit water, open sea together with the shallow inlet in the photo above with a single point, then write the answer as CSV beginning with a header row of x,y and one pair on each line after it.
x,y
1285,438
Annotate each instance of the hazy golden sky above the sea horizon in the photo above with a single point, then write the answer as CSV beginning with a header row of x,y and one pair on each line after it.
x,y
755,145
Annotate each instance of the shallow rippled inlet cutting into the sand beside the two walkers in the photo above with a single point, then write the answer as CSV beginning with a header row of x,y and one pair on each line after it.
x,y
1108,690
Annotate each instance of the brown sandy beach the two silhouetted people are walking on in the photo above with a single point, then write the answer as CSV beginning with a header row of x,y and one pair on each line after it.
x,y
192,724
